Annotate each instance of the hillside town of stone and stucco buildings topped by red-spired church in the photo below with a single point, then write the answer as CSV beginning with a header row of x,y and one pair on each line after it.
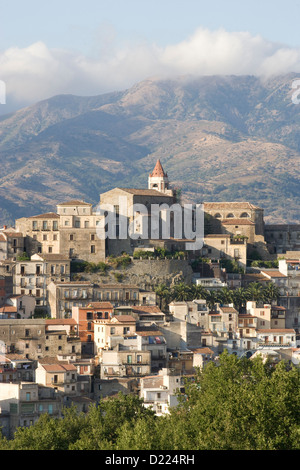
x,y
85,316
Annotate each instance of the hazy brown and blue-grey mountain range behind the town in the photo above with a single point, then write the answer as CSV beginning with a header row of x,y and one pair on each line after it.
x,y
220,138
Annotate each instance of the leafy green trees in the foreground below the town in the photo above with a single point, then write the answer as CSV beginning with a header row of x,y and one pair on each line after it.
x,y
240,404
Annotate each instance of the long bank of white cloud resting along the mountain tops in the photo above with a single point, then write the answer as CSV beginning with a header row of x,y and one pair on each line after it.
x,y
37,72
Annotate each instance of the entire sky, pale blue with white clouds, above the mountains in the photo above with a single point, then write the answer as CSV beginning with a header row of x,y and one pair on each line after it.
x,y
92,47
